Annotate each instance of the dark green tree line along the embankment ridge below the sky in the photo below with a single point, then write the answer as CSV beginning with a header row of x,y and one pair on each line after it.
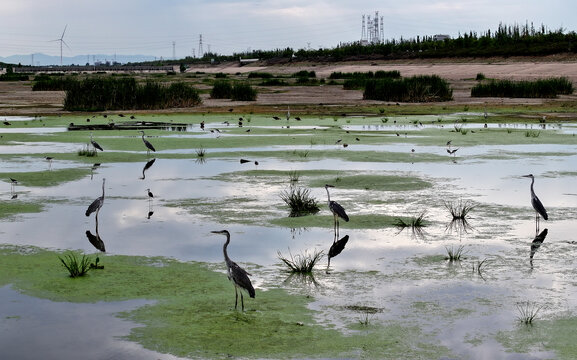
x,y
507,40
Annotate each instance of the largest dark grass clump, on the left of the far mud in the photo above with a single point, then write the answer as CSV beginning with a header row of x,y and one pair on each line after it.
x,y
112,93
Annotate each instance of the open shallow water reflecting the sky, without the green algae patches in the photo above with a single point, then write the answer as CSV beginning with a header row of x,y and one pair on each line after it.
x,y
402,275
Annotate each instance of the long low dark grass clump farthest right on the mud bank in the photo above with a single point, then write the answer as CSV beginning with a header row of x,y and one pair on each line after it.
x,y
542,88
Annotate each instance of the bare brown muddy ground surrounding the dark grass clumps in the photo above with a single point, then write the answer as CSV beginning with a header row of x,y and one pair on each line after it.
x,y
17,98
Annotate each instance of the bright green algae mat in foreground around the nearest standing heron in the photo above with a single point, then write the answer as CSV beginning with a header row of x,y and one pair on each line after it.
x,y
194,315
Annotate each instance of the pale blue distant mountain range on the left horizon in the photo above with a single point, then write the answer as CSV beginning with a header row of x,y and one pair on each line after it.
x,y
45,60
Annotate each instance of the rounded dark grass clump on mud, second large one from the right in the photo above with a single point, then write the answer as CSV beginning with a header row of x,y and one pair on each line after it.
x,y
423,88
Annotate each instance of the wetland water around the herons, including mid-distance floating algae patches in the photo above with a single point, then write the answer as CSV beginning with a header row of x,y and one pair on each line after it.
x,y
384,277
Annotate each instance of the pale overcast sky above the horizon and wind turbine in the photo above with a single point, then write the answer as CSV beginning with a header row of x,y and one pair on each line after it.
x,y
149,27
